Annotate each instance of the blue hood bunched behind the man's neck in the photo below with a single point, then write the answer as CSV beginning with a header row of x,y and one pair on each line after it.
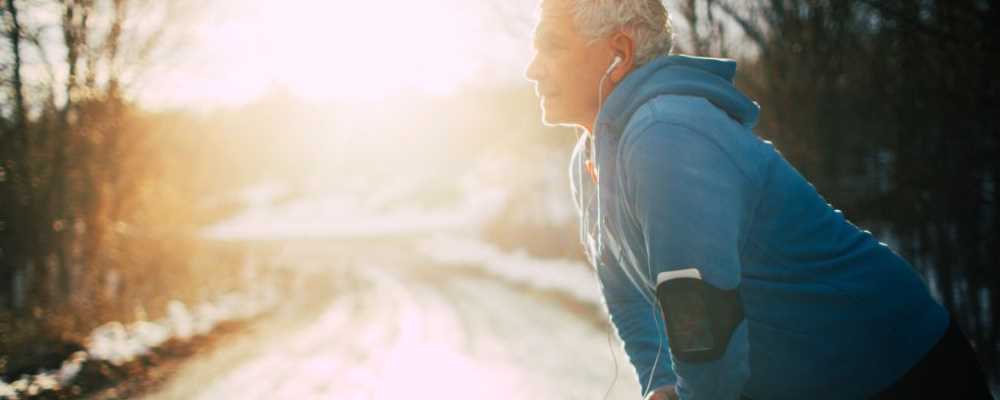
x,y
709,78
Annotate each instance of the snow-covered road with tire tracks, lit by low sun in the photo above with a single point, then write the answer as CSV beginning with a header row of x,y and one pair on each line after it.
x,y
402,326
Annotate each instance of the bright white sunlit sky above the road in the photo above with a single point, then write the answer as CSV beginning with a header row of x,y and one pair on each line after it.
x,y
344,50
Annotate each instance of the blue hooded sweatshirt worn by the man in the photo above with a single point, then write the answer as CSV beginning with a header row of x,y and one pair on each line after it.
x,y
831,313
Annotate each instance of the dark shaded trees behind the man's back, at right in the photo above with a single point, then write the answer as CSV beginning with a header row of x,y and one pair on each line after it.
x,y
891,109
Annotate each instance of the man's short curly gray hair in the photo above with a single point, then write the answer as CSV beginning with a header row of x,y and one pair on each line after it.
x,y
646,20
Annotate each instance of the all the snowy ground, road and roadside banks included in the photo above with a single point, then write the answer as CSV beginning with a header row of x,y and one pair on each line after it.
x,y
407,322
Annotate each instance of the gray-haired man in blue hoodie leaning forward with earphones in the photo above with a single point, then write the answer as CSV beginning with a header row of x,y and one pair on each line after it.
x,y
724,273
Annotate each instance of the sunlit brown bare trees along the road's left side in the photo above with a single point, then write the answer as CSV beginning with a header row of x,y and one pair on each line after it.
x,y
98,199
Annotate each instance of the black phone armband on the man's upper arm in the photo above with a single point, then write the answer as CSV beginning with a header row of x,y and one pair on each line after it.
x,y
700,318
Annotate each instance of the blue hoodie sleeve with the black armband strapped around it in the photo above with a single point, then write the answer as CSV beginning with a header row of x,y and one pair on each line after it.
x,y
687,197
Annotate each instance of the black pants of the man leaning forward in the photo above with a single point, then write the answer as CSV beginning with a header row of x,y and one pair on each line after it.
x,y
949,371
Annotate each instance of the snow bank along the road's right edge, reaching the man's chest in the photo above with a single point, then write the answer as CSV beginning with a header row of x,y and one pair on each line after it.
x,y
570,277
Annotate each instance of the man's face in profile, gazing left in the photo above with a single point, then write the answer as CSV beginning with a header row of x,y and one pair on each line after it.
x,y
566,70
